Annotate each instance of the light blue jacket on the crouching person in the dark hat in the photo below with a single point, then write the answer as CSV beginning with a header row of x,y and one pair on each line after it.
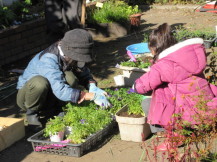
x,y
49,66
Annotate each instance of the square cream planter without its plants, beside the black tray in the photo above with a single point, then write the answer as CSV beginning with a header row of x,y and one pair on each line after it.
x,y
131,129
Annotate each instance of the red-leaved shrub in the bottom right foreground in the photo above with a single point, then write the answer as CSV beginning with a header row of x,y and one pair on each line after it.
x,y
199,139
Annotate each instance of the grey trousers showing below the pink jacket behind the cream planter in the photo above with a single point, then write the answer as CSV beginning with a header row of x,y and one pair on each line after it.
x,y
146,106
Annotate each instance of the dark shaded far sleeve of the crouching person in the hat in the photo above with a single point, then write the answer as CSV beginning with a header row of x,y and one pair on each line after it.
x,y
84,76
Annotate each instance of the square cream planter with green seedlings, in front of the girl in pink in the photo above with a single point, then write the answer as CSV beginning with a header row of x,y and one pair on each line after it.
x,y
130,117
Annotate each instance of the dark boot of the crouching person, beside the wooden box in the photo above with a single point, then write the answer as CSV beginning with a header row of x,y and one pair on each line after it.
x,y
33,121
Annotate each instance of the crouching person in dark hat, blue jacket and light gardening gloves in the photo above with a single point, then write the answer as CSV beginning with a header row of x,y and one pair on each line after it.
x,y
57,70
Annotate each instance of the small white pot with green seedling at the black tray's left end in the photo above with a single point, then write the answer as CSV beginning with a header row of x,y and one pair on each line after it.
x,y
55,129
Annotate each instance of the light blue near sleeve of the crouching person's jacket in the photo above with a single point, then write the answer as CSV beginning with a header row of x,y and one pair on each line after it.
x,y
50,69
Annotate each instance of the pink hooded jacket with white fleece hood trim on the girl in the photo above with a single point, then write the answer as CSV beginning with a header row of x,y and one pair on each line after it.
x,y
177,74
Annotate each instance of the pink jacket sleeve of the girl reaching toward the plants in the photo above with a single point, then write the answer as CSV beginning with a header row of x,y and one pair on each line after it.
x,y
159,74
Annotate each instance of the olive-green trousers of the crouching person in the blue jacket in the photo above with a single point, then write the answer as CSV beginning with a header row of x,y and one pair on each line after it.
x,y
36,94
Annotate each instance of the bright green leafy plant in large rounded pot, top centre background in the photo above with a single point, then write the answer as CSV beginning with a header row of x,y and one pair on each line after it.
x,y
112,19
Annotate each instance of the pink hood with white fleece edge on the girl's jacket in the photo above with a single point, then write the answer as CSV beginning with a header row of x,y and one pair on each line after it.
x,y
189,54
